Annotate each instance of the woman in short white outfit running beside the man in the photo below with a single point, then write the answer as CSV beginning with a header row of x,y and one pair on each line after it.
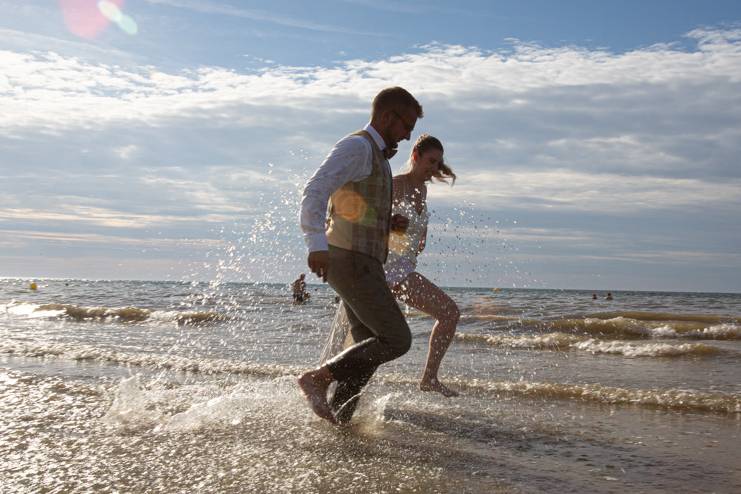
x,y
410,200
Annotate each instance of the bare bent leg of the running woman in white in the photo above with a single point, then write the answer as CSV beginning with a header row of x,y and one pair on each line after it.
x,y
420,293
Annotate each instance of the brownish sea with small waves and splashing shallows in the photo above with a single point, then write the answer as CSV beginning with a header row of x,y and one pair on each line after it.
x,y
170,387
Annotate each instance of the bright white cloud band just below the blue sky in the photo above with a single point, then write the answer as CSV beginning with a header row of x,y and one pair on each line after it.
x,y
50,85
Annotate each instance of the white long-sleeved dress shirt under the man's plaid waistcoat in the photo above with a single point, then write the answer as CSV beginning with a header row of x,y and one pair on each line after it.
x,y
350,160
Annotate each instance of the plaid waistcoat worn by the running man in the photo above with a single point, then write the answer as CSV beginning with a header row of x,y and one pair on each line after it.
x,y
360,212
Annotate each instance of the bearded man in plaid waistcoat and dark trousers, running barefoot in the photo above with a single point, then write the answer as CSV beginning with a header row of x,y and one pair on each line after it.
x,y
356,180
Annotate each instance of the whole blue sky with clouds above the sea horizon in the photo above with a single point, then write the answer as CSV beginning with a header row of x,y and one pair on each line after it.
x,y
596,144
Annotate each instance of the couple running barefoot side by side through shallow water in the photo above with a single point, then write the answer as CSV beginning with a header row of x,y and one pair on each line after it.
x,y
367,251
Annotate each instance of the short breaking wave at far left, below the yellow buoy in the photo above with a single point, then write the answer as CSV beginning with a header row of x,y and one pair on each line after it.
x,y
118,314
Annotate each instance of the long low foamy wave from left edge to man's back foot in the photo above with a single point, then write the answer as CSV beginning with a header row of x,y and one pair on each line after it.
x,y
152,361
